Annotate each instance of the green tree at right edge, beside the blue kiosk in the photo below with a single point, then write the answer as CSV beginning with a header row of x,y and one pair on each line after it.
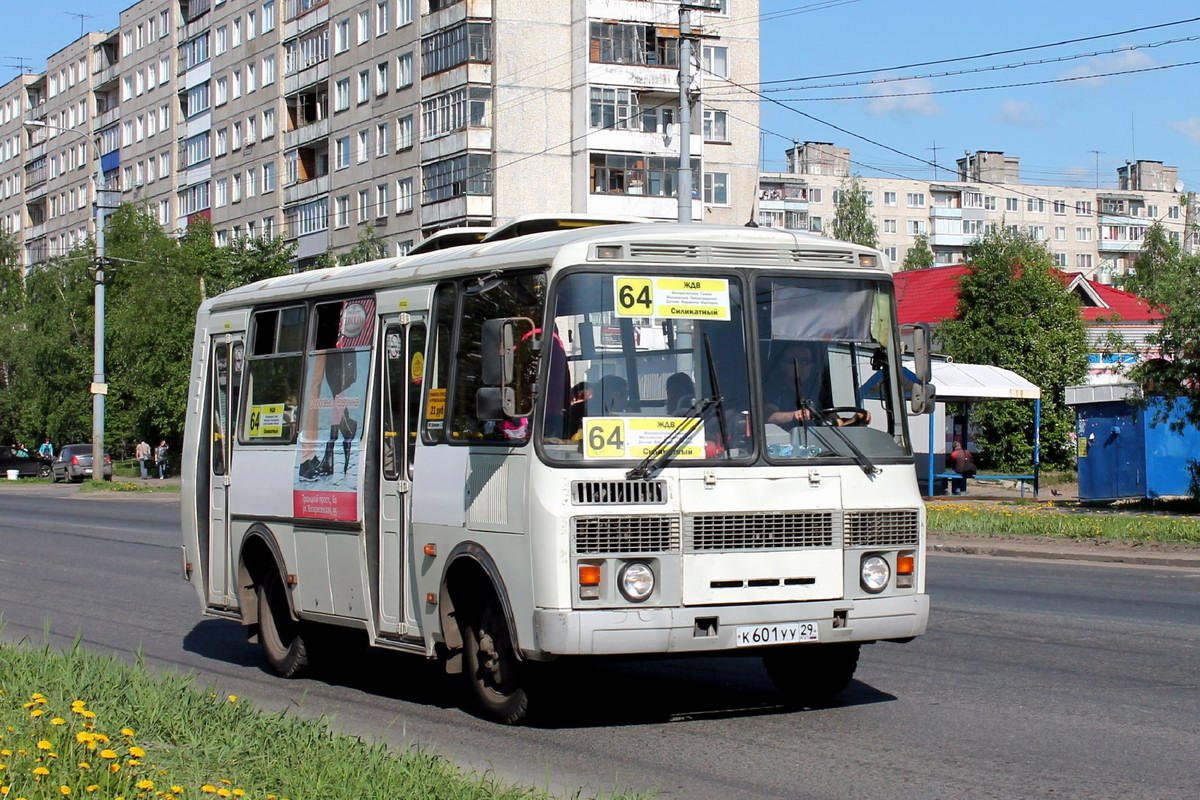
x,y
1171,281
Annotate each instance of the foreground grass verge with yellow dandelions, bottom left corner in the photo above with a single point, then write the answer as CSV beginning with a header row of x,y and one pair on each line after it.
x,y
80,725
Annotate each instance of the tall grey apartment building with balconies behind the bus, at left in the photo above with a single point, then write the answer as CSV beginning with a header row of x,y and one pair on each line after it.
x,y
327,122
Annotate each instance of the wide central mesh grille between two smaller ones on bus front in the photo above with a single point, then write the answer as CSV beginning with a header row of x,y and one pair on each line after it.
x,y
759,532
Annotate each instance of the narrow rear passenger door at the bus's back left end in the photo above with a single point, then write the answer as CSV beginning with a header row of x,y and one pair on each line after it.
x,y
226,381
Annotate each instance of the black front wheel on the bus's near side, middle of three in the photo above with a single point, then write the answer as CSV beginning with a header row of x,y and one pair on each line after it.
x,y
493,670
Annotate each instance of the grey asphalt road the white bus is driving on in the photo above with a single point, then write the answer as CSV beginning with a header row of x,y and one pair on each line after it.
x,y
1036,681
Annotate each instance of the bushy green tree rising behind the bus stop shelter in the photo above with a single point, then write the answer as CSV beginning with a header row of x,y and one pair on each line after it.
x,y
1013,312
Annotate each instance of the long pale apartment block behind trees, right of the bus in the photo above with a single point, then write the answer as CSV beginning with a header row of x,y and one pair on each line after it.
x,y
1095,232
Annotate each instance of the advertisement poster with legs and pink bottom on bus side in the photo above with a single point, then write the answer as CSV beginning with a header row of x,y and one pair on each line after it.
x,y
327,466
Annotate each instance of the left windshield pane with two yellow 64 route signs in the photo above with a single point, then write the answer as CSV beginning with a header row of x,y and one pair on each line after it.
x,y
641,352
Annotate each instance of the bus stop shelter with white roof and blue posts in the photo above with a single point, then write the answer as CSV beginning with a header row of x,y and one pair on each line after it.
x,y
968,384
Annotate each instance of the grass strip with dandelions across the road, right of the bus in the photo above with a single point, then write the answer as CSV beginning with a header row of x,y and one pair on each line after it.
x,y
1048,520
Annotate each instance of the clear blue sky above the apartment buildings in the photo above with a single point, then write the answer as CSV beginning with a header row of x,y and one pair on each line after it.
x,y
1057,128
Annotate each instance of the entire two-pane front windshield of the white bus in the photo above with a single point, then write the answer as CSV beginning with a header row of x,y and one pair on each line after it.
x,y
646,363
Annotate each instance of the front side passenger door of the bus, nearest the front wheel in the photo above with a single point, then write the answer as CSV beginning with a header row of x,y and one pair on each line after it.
x,y
404,366
